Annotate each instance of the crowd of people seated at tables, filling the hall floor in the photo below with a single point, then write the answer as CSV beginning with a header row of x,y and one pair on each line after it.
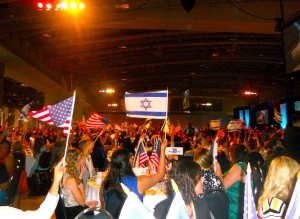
x,y
273,154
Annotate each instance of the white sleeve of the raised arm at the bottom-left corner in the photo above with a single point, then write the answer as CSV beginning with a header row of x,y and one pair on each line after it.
x,y
45,211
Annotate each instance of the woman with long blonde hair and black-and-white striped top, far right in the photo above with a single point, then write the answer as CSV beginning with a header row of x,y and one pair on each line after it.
x,y
278,187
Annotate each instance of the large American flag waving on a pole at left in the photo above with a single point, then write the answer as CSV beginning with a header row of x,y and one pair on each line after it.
x,y
58,114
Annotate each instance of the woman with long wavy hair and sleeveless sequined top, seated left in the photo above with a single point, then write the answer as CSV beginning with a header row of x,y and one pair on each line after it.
x,y
72,189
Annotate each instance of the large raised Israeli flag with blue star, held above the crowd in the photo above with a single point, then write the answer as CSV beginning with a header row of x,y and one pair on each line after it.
x,y
147,105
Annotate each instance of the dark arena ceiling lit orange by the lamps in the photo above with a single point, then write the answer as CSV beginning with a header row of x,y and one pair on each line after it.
x,y
217,50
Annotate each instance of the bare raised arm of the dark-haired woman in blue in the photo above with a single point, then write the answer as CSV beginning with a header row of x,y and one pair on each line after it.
x,y
147,181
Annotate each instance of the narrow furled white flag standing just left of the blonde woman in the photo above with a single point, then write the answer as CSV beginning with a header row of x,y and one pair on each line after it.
x,y
249,204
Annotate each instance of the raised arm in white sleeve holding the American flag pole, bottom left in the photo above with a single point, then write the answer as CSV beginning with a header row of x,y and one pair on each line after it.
x,y
48,206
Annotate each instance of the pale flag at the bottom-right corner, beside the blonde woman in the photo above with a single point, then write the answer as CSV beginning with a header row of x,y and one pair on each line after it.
x,y
293,210
